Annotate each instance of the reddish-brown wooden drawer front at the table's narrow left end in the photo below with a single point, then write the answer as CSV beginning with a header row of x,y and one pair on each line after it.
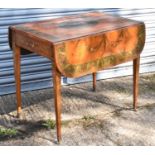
x,y
34,44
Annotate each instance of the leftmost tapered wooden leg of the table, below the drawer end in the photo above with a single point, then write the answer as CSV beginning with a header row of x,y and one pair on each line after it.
x,y
16,53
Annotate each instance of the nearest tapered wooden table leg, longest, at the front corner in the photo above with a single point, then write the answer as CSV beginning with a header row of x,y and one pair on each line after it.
x,y
57,99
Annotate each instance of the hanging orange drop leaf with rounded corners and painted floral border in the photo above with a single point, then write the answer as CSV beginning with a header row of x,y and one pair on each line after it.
x,y
79,57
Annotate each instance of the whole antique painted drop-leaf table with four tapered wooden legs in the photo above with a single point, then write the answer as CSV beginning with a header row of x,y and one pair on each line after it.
x,y
79,45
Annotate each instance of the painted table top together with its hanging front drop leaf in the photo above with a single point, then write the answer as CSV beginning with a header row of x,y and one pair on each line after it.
x,y
88,42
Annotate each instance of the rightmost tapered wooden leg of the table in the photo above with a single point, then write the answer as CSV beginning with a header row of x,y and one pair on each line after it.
x,y
136,63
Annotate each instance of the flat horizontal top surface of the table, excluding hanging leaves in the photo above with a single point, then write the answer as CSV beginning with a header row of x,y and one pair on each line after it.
x,y
75,26
